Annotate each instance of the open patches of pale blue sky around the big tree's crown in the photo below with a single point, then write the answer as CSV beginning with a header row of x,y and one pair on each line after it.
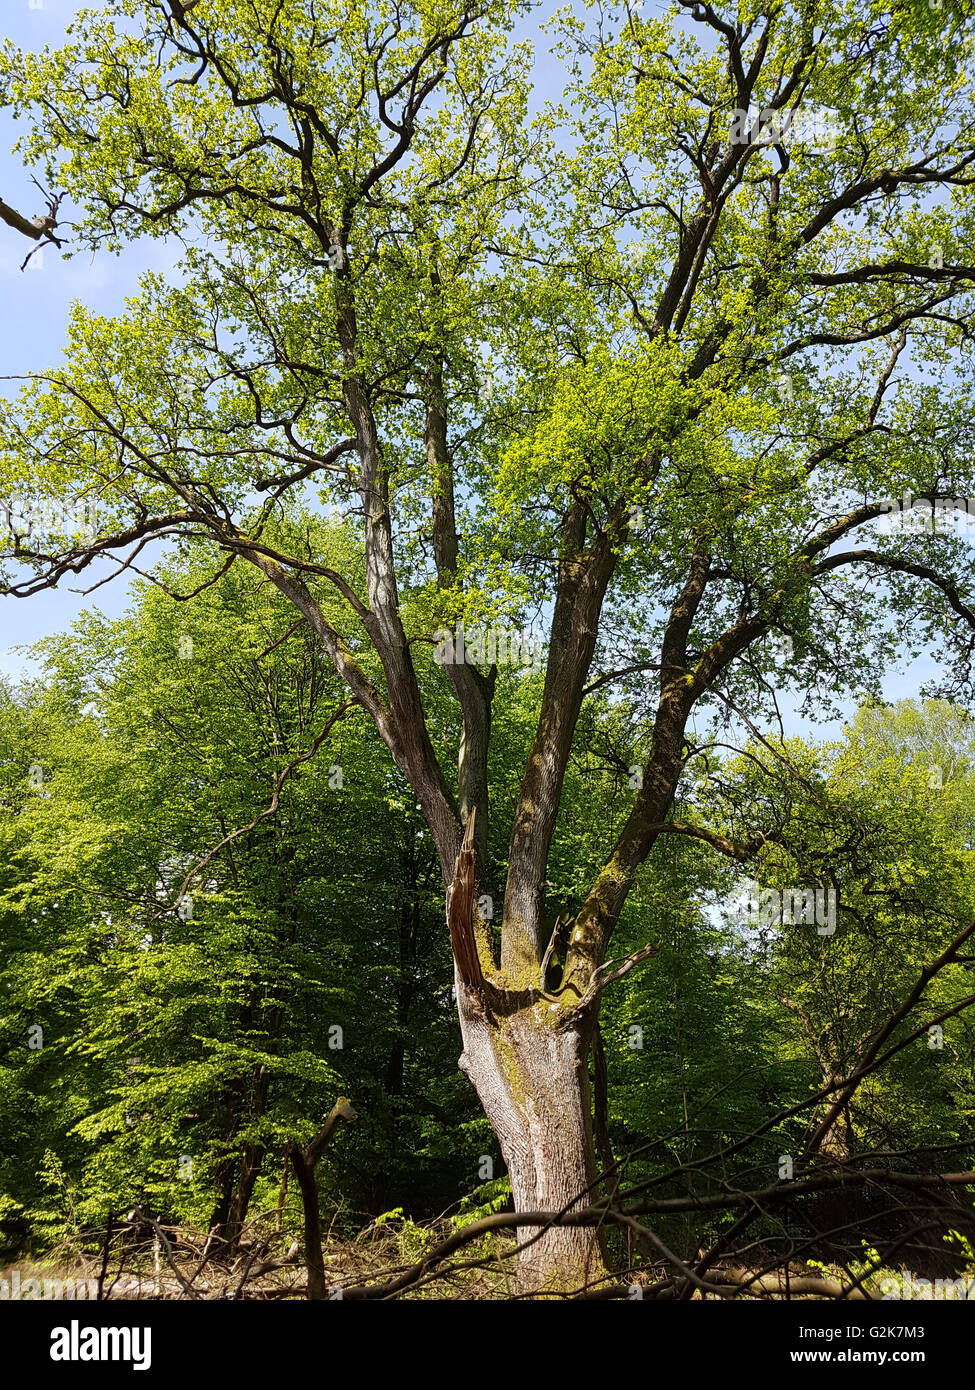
x,y
40,300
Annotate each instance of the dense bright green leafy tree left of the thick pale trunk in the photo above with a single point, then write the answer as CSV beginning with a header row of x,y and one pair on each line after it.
x,y
161,1047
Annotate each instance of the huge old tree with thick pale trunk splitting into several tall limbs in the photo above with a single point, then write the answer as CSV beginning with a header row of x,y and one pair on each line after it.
x,y
659,372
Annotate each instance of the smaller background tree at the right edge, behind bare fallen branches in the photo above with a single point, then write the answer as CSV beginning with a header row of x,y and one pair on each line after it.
x,y
853,822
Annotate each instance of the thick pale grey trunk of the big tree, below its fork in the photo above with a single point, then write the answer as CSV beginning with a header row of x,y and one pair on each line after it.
x,y
533,1084
